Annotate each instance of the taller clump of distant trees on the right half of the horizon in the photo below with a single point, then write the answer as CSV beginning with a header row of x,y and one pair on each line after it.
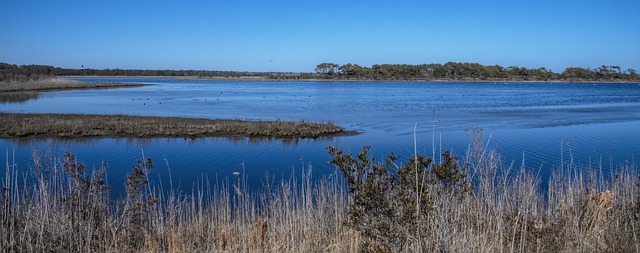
x,y
469,72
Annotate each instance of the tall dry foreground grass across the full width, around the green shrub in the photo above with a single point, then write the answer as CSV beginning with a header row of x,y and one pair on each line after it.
x,y
65,209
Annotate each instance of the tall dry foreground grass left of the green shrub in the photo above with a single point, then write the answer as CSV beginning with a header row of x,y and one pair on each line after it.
x,y
65,209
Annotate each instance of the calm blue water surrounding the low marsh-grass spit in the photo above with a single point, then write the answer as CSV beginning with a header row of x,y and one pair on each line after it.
x,y
530,120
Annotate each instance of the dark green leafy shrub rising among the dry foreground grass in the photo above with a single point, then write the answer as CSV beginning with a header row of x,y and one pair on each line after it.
x,y
389,202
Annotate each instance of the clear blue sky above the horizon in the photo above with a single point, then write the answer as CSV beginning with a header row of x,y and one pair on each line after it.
x,y
297,35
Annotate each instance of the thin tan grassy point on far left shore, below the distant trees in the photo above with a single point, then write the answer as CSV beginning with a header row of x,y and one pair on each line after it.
x,y
52,84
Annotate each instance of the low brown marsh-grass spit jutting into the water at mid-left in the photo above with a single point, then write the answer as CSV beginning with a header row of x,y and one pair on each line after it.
x,y
81,125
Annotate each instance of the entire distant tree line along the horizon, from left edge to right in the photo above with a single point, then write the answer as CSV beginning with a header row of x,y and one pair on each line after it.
x,y
332,71
